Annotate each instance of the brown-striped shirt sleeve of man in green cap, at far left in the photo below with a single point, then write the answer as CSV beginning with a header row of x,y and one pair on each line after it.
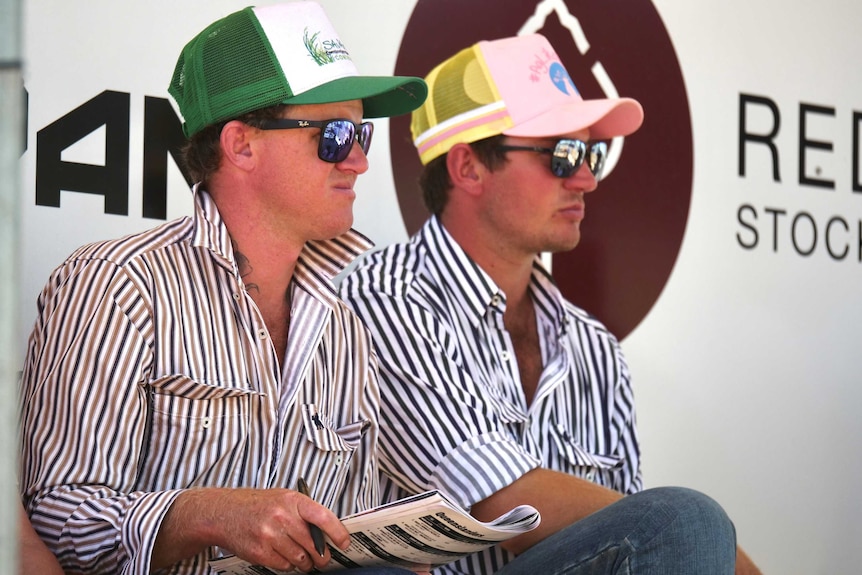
x,y
84,421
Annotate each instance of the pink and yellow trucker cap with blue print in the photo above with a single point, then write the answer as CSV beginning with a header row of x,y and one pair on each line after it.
x,y
515,86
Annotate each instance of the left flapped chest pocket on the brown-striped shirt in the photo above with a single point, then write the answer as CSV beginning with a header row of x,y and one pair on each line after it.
x,y
198,433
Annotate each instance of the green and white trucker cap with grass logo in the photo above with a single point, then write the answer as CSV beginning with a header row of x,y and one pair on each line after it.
x,y
279,54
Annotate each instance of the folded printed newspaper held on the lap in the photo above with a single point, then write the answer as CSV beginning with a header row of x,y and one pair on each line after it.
x,y
418,533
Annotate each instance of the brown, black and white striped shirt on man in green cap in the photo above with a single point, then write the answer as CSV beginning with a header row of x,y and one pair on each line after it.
x,y
150,370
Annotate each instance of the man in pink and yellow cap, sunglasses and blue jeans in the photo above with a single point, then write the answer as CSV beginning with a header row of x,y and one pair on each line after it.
x,y
496,389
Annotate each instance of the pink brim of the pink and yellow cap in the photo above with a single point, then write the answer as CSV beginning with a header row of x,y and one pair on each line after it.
x,y
604,118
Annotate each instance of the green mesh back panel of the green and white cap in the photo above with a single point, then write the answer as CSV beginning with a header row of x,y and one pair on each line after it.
x,y
226,71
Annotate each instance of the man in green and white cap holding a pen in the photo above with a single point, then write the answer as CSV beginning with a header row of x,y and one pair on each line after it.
x,y
180,383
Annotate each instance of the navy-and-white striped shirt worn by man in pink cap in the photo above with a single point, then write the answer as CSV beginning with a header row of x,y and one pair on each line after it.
x,y
454,416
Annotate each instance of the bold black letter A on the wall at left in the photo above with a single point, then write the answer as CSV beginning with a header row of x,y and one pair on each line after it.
x,y
109,109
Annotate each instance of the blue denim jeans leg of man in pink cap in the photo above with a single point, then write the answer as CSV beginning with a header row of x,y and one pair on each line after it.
x,y
662,531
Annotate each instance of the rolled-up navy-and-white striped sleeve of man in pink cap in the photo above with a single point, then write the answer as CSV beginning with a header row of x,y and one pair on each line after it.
x,y
440,429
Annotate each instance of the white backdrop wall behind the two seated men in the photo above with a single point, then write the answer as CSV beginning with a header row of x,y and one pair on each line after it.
x,y
745,370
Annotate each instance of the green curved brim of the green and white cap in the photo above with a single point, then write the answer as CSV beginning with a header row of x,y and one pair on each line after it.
x,y
382,96
